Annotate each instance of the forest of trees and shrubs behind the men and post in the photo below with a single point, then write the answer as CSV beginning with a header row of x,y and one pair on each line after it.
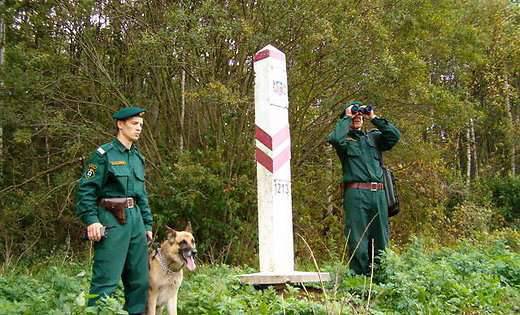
x,y
445,72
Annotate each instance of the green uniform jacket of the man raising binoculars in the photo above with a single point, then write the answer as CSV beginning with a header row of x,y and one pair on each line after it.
x,y
359,152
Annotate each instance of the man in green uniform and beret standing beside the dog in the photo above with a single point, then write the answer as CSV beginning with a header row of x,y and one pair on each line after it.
x,y
114,179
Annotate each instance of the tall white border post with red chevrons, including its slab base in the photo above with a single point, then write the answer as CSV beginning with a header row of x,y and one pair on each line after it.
x,y
273,155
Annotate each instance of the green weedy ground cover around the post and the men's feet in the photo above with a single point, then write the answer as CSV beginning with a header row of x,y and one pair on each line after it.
x,y
469,278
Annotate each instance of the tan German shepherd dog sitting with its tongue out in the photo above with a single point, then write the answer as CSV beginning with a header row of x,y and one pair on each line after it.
x,y
166,264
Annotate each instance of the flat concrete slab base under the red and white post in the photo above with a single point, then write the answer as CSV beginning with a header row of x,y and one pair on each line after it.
x,y
295,277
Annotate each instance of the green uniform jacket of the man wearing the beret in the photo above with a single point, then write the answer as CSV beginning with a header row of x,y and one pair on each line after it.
x,y
113,171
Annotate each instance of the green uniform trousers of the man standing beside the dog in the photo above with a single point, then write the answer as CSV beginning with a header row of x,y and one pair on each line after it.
x,y
123,254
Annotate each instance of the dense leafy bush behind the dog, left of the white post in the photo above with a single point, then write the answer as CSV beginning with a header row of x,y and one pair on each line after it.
x,y
221,209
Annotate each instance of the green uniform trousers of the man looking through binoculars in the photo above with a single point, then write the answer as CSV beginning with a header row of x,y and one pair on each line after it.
x,y
366,225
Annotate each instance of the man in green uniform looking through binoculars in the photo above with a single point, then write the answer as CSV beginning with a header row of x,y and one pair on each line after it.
x,y
364,201
